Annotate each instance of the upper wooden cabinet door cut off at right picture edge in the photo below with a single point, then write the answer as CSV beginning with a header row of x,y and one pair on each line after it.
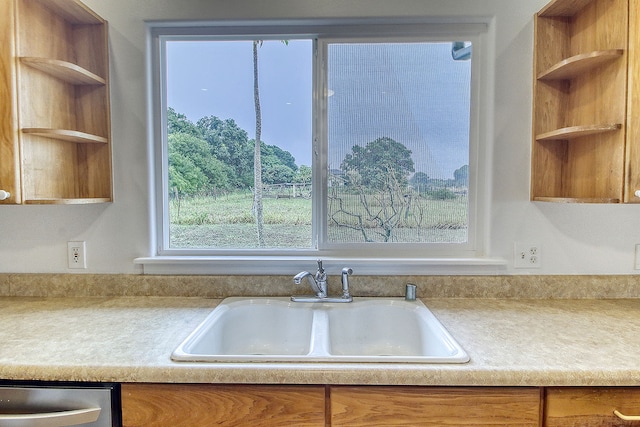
x,y
633,105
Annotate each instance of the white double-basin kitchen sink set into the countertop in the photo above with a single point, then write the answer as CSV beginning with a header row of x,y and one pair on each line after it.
x,y
278,330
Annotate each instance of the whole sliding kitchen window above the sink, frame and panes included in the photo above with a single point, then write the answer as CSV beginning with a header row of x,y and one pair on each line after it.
x,y
369,142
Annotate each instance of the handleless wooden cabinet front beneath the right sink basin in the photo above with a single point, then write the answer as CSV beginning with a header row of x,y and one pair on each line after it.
x,y
427,406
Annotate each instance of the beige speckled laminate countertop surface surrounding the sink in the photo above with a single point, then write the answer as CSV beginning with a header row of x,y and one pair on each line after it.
x,y
511,342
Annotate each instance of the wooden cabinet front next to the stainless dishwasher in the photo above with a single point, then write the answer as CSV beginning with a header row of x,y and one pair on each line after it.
x,y
174,405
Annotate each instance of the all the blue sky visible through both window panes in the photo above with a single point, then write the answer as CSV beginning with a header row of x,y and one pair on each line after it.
x,y
415,94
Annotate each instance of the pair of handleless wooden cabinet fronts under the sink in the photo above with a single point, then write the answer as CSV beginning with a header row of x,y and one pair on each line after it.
x,y
194,405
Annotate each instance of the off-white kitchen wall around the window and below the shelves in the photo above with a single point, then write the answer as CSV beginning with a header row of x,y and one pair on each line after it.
x,y
575,239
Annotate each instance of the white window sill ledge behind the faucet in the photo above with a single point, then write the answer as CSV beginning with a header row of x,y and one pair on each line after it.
x,y
291,265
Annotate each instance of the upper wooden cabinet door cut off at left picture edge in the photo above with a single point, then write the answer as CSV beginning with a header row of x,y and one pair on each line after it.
x,y
9,148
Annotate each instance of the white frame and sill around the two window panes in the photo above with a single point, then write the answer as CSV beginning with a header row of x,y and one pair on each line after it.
x,y
370,259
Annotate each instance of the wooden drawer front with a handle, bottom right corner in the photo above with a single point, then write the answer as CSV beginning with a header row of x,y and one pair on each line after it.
x,y
590,407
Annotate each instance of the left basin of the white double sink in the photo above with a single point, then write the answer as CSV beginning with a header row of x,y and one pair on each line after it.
x,y
250,329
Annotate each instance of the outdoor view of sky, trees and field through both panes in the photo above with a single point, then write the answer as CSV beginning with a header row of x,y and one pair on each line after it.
x,y
397,143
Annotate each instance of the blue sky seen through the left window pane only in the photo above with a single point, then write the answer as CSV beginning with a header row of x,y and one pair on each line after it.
x,y
217,79
